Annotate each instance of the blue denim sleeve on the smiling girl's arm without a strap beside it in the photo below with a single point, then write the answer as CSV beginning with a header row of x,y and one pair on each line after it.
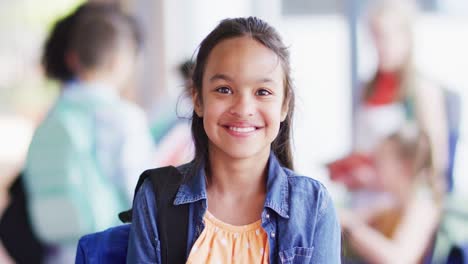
x,y
327,248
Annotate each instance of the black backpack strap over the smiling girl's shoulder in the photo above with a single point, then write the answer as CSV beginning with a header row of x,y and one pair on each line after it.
x,y
172,220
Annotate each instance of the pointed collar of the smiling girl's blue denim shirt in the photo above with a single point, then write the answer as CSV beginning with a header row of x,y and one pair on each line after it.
x,y
277,187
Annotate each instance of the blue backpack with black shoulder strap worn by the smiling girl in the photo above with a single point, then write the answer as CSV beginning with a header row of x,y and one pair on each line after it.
x,y
110,246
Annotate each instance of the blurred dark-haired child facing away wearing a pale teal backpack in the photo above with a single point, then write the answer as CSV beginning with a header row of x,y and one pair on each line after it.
x,y
87,153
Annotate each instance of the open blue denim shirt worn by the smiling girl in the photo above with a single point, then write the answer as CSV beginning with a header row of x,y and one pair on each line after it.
x,y
298,216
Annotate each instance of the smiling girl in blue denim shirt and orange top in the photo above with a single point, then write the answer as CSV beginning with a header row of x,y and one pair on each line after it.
x,y
246,205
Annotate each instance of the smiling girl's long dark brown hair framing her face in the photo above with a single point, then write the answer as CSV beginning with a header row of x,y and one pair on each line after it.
x,y
260,31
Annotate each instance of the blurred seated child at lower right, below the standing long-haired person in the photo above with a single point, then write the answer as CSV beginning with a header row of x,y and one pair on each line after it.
x,y
401,228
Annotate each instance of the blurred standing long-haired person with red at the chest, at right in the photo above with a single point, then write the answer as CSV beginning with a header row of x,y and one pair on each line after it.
x,y
396,94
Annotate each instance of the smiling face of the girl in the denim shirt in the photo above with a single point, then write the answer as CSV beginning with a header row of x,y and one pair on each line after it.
x,y
242,99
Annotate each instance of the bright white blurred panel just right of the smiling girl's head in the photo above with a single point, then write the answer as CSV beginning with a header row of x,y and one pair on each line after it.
x,y
321,70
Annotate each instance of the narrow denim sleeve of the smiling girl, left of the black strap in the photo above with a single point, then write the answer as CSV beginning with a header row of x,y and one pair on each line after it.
x,y
143,245
